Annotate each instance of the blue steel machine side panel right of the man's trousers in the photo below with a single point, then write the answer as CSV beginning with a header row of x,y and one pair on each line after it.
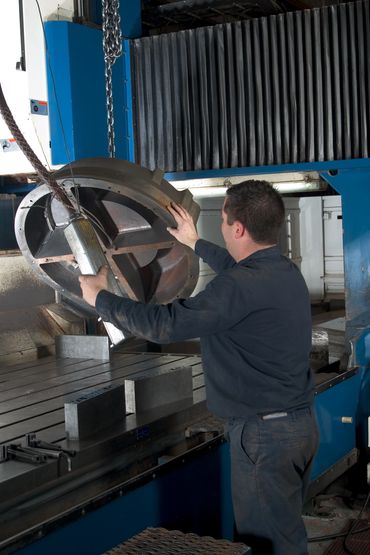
x,y
337,439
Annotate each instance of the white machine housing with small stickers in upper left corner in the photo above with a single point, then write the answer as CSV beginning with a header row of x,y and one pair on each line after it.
x,y
23,78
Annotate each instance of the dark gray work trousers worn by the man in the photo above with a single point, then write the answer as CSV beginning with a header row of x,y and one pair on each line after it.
x,y
270,467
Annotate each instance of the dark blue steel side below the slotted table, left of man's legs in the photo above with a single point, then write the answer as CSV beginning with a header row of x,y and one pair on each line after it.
x,y
189,498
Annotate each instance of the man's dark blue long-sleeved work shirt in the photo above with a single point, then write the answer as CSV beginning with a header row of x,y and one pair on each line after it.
x,y
254,324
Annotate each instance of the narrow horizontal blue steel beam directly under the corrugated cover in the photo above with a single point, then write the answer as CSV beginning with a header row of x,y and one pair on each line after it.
x,y
257,170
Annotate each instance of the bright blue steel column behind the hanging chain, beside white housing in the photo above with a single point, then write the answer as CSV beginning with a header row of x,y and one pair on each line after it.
x,y
76,92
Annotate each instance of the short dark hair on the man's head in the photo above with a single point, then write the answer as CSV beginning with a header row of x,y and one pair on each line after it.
x,y
259,207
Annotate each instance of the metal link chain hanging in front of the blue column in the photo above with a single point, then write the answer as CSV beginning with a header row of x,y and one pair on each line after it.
x,y
112,48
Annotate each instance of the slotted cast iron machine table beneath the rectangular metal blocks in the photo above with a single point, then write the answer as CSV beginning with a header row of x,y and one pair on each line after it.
x,y
32,399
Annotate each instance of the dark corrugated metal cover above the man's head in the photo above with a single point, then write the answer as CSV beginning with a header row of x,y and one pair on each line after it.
x,y
289,88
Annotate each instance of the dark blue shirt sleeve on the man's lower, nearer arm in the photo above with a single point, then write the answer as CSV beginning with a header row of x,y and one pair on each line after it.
x,y
213,310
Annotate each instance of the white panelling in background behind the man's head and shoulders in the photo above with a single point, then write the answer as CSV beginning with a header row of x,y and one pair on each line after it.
x,y
312,238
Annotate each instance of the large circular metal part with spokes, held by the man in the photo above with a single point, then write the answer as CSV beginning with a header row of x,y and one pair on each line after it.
x,y
127,207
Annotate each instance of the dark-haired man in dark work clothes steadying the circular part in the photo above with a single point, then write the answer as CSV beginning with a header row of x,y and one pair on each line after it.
x,y
254,325
